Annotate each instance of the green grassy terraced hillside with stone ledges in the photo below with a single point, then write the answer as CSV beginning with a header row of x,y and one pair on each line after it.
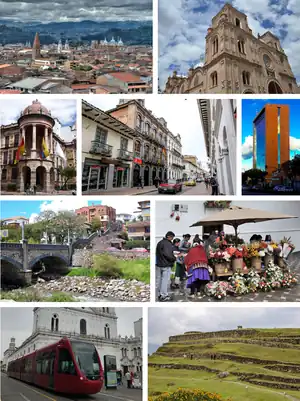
x,y
243,364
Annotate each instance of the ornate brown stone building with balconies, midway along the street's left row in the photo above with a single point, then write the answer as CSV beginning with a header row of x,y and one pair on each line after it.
x,y
150,143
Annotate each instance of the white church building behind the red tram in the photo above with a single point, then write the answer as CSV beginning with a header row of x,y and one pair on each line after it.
x,y
95,325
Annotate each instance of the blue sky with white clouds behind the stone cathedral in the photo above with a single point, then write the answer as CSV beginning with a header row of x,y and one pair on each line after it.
x,y
183,25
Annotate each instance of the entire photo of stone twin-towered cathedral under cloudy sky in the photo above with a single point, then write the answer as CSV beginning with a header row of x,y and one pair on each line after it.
x,y
228,47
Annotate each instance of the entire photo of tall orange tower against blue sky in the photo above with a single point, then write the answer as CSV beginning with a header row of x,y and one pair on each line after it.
x,y
270,147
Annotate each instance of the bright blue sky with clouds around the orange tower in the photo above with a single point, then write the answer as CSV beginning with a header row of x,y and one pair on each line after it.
x,y
249,110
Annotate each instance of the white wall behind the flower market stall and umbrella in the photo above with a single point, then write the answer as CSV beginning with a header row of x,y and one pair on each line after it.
x,y
196,211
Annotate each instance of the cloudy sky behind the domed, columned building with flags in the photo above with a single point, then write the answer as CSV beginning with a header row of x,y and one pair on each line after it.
x,y
63,110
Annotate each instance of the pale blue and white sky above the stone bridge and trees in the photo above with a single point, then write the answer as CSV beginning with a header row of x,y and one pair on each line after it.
x,y
31,209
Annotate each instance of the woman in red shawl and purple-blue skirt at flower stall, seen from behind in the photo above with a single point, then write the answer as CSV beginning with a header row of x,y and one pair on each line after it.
x,y
197,268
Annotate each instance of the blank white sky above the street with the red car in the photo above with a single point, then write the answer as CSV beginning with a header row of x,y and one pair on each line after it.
x,y
182,117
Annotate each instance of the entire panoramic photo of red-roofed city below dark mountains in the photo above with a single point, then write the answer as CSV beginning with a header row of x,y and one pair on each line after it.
x,y
102,48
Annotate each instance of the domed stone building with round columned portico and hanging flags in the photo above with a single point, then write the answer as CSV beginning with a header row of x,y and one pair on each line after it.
x,y
36,129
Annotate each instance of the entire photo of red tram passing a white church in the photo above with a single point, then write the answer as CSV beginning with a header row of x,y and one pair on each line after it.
x,y
80,351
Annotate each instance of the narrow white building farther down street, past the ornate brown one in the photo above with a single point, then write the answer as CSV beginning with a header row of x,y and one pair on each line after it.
x,y
175,161
